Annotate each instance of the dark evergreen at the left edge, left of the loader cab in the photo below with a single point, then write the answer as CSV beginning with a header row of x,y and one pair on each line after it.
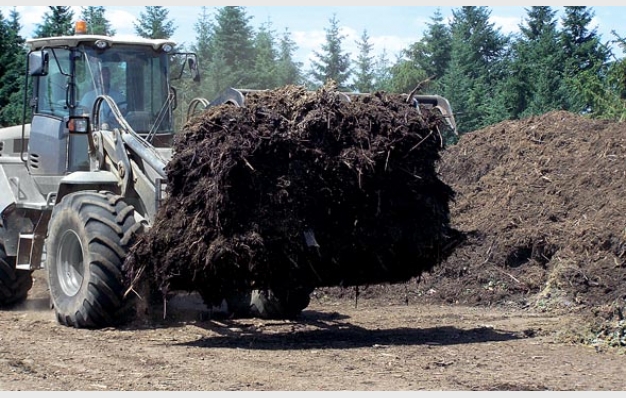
x,y
12,65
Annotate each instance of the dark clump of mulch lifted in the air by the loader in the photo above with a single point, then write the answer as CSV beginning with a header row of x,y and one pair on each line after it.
x,y
301,189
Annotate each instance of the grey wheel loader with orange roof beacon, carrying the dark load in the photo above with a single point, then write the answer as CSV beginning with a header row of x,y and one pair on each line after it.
x,y
80,181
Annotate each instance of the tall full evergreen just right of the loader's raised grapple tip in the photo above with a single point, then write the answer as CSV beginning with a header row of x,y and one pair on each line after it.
x,y
476,68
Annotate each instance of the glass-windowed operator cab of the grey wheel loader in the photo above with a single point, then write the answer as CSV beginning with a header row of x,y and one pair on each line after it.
x,y
67,69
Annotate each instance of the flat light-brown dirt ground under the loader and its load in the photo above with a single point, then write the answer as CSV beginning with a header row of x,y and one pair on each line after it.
x,y
339,344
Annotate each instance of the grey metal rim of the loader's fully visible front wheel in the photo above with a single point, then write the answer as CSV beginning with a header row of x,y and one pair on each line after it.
x,y
70,270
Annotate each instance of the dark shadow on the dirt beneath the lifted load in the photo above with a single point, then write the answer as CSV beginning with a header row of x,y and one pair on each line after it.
x,y
319,330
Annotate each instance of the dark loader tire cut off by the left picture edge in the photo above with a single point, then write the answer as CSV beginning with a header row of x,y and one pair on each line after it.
x,y
14,284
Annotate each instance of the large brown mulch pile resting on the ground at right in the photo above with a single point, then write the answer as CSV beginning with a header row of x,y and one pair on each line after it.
x,y
543,204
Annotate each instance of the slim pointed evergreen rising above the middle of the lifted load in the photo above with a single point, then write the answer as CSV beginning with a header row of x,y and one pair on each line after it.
x,y
332,63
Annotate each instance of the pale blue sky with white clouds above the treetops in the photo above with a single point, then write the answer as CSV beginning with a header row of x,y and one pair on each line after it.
x,y
390,29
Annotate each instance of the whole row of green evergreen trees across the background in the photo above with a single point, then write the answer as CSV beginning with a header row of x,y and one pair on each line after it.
x,y
553,63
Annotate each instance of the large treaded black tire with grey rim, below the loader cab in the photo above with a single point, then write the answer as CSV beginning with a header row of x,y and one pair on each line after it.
x,y
89,236
